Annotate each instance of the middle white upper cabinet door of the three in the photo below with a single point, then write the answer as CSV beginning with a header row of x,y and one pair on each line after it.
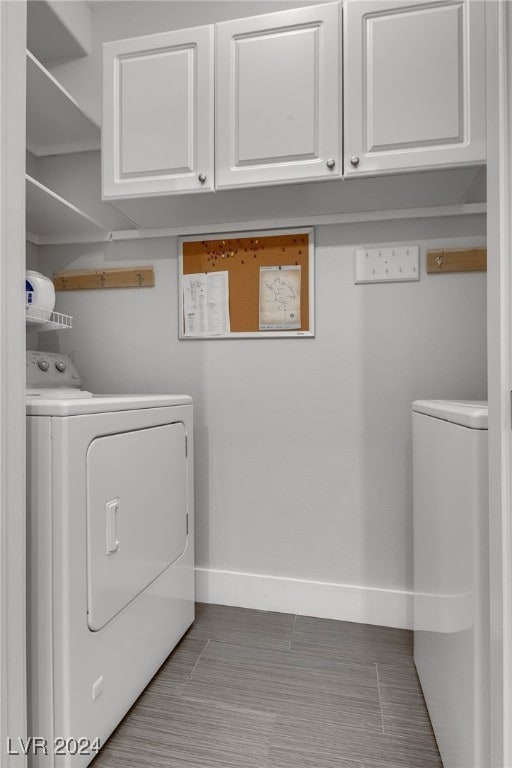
x,y
278,97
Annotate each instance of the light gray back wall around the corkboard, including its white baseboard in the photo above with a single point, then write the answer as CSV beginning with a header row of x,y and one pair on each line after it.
x,y
303,446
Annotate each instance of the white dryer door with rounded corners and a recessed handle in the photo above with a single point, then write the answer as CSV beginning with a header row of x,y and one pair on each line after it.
x,y
136,514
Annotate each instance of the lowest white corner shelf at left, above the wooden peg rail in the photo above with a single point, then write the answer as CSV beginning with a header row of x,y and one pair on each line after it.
x,y
52,219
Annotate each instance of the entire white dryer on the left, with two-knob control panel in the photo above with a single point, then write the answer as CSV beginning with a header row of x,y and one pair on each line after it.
x,y
110,552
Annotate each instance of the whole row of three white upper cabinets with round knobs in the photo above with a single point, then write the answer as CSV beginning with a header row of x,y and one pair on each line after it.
x,y
412,97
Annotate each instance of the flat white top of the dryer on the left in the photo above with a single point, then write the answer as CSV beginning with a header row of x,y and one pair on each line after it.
x,y
47,406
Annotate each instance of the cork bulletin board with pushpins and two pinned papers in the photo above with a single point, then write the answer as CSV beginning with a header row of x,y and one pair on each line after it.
x,y
250,284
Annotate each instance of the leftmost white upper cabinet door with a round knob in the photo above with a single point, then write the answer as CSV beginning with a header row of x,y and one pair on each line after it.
x,y
158,114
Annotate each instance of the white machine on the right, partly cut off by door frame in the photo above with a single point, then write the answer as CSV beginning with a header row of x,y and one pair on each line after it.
x,y
451,581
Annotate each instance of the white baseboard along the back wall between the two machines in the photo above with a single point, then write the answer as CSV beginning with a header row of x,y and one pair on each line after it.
x,y
366,605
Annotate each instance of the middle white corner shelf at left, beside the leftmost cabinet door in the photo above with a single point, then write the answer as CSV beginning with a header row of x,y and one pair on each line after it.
x,y
55,123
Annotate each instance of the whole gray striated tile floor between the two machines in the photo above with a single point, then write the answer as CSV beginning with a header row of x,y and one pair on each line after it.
x,y
252,689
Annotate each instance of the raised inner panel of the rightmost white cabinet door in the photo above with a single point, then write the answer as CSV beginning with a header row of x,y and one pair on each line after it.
x,y
400,112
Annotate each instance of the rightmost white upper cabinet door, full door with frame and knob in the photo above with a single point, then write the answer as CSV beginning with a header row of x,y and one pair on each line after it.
x,y
414,85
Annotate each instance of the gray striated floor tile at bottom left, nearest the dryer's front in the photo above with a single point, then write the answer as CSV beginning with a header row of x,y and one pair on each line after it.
x,y
167,732
